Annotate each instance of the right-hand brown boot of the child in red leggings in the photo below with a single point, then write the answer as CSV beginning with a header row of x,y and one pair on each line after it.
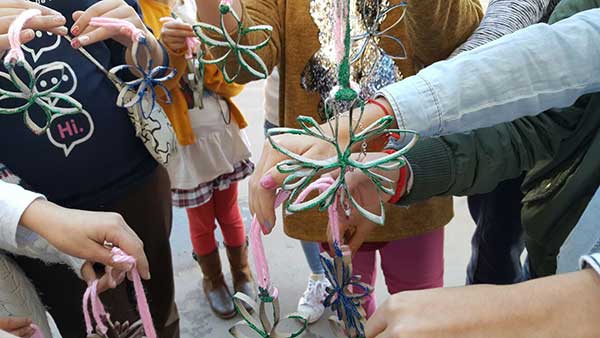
x,y
240,270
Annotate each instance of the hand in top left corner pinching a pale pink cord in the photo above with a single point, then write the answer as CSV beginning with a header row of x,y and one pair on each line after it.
x,y
50,20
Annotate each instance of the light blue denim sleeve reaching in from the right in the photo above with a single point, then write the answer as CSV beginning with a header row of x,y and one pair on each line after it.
x,y
524,73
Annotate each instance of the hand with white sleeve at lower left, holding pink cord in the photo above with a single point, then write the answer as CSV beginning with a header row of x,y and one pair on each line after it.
x,y
83,234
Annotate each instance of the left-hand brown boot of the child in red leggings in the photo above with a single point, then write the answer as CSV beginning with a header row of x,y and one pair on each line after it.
x,y
213,283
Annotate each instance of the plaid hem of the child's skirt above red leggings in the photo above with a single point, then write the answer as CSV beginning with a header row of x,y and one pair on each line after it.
x,y
191,198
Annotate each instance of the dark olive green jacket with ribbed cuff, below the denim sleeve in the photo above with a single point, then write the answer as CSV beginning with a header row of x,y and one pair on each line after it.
x,y
559,150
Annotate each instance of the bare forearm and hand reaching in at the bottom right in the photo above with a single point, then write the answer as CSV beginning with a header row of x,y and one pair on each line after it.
x,y
558,306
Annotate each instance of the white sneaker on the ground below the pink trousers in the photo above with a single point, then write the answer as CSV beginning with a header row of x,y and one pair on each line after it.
x,y
310,305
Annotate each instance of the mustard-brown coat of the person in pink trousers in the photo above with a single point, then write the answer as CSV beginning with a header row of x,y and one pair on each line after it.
x,y
430,31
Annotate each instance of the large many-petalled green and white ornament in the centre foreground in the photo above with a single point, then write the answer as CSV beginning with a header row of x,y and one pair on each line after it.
x,y
302,170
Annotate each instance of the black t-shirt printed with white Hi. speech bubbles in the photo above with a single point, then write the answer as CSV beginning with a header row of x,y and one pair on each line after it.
x,y
84,159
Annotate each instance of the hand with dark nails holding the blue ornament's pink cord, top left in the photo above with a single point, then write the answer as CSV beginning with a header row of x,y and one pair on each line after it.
x,y
114,9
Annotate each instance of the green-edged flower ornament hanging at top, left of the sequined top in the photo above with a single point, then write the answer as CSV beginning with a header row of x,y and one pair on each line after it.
x,y
231,46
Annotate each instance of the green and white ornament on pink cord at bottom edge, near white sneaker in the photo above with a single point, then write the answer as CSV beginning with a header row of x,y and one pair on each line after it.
x,y
259,323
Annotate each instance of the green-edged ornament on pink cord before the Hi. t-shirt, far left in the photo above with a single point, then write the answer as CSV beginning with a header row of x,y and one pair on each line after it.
x,y
28,91
